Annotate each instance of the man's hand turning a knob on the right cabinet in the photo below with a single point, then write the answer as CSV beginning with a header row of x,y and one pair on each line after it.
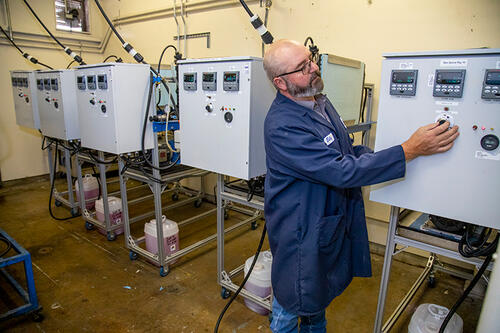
x,y
430,139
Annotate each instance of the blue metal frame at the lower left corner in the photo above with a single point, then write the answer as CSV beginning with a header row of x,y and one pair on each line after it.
x,y
29,296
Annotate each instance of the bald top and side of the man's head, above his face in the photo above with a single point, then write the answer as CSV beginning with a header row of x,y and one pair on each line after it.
x,y
277,57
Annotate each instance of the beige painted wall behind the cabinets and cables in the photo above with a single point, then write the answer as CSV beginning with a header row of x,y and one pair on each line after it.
x,y
362,29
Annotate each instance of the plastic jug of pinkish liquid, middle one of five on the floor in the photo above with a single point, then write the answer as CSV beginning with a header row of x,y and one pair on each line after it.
x,y
170,236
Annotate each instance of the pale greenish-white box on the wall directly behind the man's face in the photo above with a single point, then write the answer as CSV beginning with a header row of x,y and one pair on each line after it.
x,y
344,79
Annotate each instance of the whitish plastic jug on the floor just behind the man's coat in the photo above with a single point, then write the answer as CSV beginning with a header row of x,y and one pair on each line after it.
x,y
259,282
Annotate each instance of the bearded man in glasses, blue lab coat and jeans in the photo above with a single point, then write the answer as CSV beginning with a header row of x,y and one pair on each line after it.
x,y
313,202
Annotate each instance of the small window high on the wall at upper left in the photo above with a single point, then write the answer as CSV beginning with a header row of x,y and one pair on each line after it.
x,y
72,15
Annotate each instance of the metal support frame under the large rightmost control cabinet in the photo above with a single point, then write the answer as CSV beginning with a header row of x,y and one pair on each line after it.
x,y
393,239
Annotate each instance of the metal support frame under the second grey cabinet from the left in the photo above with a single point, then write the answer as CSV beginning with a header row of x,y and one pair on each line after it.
x,y
66,198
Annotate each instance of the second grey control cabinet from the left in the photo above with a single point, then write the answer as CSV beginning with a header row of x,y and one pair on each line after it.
x,y
57,104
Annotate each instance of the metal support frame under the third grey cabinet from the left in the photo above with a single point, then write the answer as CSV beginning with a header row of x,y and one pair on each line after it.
x,y
88,216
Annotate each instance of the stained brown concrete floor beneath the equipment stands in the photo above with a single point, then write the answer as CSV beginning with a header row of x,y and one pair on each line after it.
x,y
82,279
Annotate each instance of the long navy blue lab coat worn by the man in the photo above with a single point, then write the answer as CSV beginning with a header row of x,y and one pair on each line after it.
x,y
313,203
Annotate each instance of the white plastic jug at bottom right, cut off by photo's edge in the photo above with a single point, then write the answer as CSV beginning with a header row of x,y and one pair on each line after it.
x,y
429,317
